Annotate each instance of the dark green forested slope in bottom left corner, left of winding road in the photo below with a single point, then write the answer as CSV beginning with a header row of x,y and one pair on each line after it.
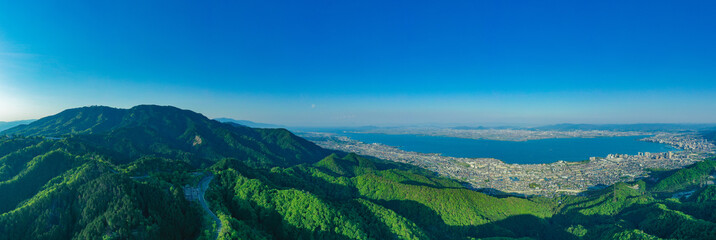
x,y
91,202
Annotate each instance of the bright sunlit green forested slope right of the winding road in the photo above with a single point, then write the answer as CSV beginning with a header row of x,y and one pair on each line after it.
x,y
369,199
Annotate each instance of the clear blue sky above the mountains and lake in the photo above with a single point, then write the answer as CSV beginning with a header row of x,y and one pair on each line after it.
x,y
328,63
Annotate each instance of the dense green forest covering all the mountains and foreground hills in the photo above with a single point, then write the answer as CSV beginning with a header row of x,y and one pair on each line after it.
x,y
105,173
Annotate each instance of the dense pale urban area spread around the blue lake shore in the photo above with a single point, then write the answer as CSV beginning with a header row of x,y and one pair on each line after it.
x,y
496,177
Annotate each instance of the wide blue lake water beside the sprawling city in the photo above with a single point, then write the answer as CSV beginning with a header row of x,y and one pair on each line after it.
x,y
526,152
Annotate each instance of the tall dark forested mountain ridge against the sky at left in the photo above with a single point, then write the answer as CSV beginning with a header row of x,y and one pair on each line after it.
x,y
125,134
